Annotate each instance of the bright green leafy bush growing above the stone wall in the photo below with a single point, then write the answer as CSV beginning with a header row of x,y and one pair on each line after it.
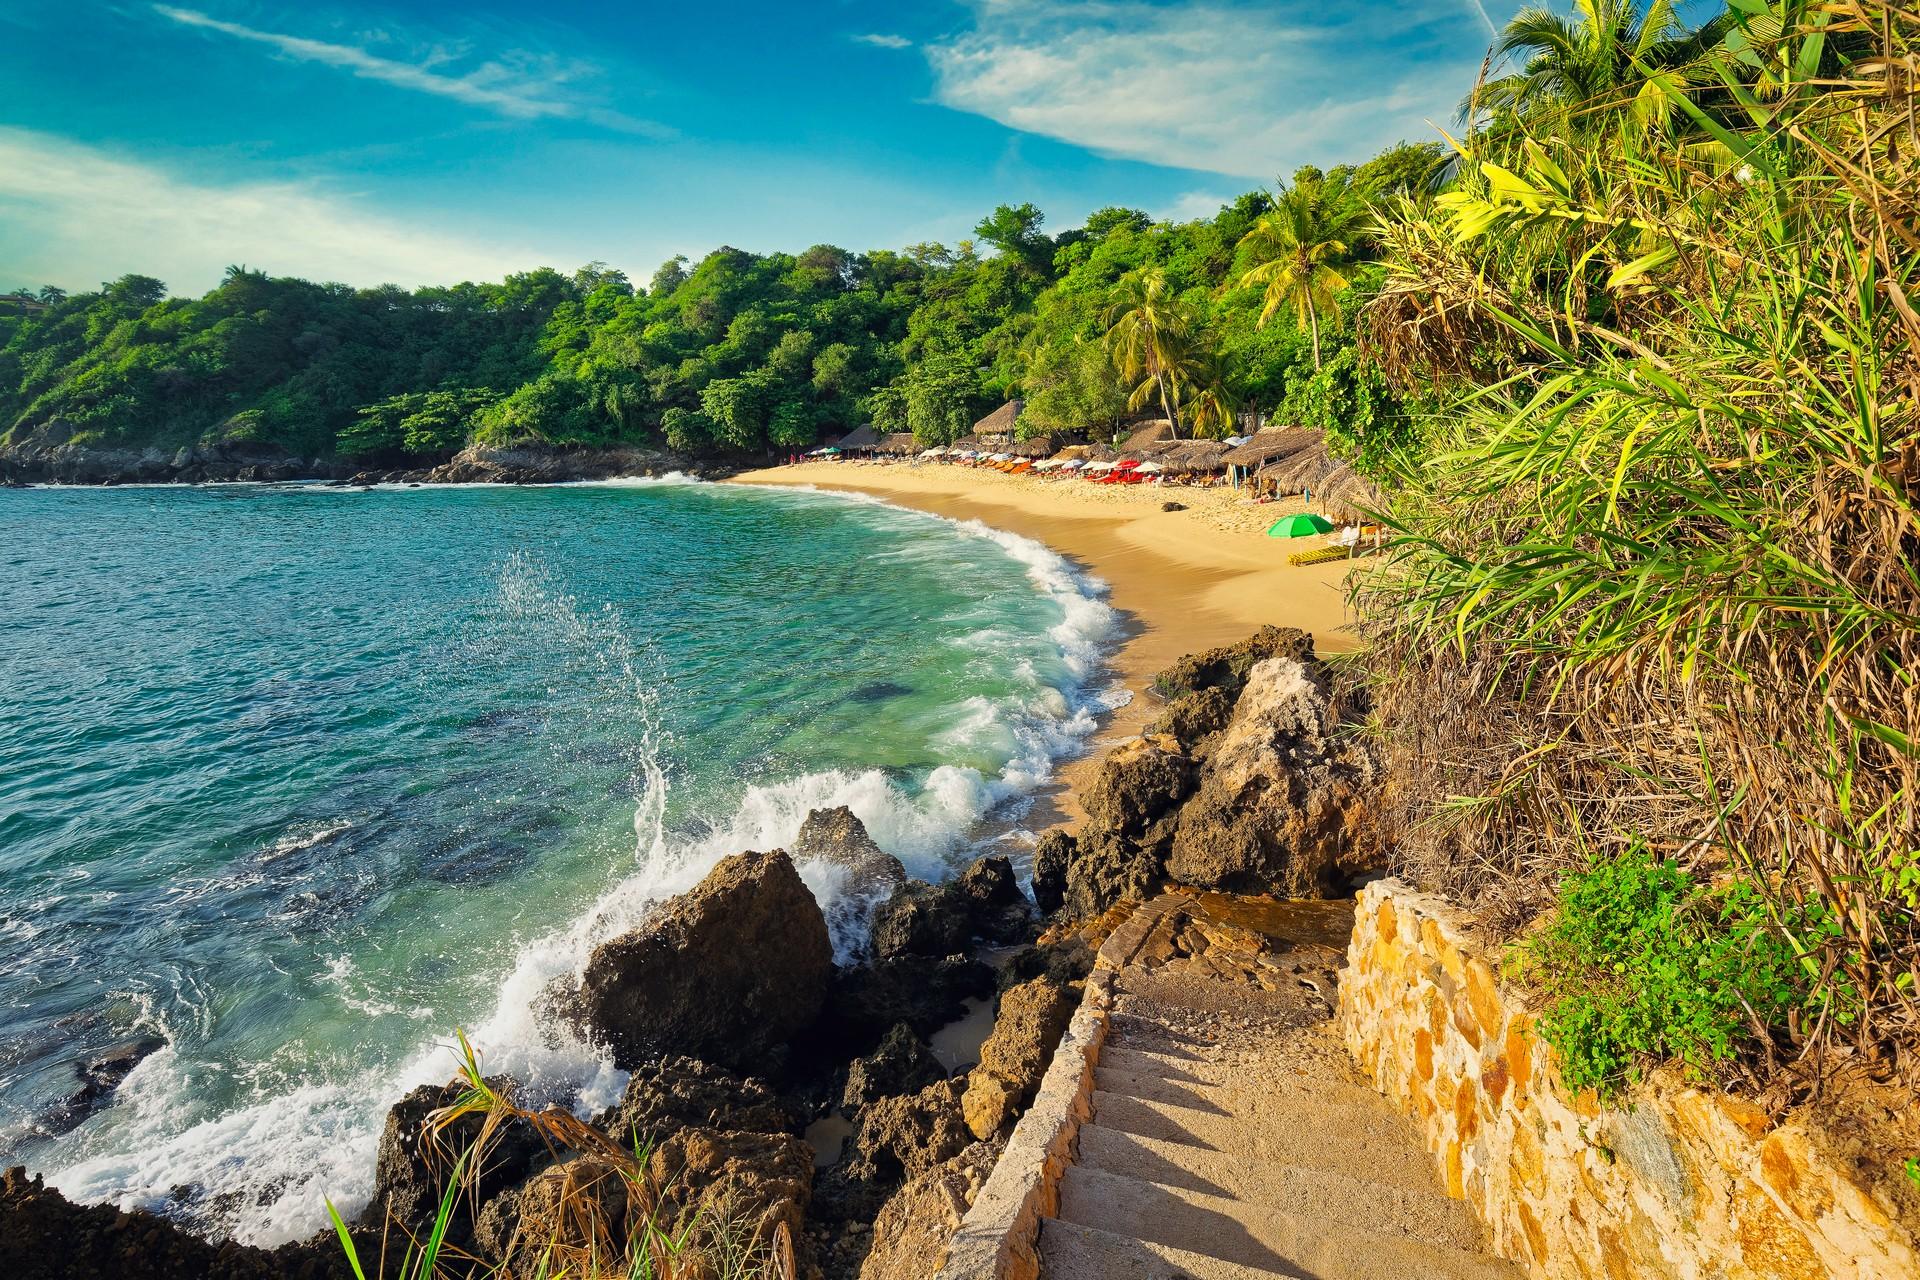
x,y
1641,964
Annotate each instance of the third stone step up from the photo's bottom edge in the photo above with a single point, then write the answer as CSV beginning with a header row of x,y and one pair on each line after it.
x,y
1424,1216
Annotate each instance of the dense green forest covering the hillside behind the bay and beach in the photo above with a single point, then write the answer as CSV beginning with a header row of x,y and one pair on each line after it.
x,y
740,352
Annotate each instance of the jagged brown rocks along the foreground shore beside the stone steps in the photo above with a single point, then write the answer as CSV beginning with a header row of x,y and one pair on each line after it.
x,y
748,1045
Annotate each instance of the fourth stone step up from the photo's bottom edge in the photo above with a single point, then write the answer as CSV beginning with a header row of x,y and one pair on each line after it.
x,y
1366,1145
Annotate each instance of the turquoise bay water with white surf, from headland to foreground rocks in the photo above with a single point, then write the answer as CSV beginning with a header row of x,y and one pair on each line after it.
x,y
304,778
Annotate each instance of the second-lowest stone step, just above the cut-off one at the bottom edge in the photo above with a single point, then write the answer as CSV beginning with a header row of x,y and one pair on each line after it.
x,y
1259,1237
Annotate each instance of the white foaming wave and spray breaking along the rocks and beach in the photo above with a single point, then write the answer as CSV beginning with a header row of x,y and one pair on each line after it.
x,y
264,1172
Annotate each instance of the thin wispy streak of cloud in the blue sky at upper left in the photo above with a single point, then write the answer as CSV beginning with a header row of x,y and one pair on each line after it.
x,y
519,87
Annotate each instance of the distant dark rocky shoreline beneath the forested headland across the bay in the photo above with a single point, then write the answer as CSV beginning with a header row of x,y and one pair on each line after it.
x,y
87,465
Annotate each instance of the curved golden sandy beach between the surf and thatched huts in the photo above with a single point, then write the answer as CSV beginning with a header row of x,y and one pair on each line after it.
x,y
1186,581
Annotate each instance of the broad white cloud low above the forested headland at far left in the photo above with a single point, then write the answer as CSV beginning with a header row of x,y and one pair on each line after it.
x,y
78,216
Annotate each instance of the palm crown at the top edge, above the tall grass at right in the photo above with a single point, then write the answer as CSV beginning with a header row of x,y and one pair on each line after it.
x,y
1614,51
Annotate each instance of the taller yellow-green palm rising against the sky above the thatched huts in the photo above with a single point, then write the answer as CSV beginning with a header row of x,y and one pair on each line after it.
x,y
1303,245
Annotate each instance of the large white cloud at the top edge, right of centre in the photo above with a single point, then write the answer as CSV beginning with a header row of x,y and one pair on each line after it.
x,y
1218,85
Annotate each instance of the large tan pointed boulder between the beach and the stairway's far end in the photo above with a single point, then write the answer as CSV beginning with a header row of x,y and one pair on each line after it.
x,y
1284,803
